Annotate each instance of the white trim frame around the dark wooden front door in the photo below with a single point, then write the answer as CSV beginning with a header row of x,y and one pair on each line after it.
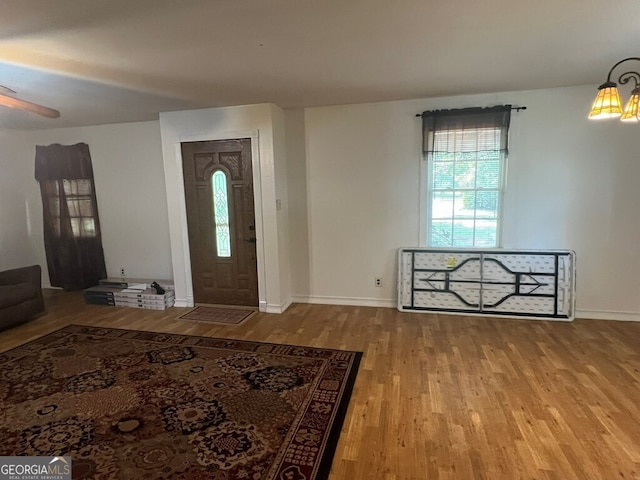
x,y
253,135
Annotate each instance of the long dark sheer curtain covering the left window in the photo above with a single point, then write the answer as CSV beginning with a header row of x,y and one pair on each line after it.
x,y
72,236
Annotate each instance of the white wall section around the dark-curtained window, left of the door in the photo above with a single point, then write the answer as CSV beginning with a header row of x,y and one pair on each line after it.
x,y
130,190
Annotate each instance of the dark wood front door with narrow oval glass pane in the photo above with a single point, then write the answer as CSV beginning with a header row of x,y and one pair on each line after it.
x,y
218,183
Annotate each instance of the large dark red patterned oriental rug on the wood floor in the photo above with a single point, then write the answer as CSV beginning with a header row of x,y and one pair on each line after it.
x,y
127,404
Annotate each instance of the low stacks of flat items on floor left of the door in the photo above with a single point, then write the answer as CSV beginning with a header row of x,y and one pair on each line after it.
x,y
131,293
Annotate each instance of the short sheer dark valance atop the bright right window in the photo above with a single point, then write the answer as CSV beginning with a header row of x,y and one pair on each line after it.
x,y
463,119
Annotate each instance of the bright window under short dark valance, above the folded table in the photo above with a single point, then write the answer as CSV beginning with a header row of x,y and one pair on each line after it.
x,y
466,152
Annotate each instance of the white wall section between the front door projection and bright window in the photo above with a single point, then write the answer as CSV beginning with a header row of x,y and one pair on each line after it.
x,y
363,187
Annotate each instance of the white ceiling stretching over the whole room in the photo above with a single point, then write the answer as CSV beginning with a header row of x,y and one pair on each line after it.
x,y
106,61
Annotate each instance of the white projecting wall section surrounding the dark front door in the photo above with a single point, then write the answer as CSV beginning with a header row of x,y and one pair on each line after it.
x,y
264,124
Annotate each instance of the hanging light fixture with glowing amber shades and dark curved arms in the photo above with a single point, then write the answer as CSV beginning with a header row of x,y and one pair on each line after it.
x,y
608,104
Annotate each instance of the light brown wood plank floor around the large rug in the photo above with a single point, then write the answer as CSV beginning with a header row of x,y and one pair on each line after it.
x,y
445,397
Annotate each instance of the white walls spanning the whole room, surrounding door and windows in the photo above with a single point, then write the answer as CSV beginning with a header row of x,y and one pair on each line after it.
x,y
350,194
